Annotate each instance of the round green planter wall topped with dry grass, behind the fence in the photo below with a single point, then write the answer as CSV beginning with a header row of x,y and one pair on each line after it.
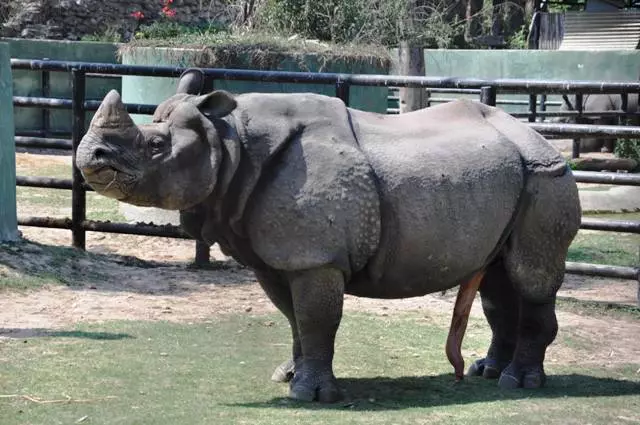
x,y
155,90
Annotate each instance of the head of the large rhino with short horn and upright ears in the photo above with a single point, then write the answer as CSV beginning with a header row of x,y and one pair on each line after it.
x,y
171,163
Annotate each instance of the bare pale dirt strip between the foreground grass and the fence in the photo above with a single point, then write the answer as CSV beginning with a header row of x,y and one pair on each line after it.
x,y
142,278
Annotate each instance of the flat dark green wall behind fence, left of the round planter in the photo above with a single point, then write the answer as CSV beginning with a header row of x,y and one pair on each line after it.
x,y
29,83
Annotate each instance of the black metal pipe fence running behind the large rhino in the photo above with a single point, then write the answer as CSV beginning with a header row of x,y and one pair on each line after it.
x,y
487,90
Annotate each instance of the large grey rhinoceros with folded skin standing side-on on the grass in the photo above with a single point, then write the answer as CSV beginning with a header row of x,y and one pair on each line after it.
x,y
322,200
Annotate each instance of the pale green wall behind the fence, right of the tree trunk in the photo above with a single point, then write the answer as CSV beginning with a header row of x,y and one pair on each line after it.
x,y
533,64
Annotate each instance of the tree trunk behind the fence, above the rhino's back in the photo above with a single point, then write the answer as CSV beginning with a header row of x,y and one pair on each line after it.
x,y
411,62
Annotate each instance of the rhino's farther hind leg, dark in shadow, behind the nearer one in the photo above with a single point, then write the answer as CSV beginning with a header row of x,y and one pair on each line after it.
x,y
501,308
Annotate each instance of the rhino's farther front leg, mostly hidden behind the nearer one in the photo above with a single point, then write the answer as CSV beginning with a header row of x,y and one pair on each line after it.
x,y
277,289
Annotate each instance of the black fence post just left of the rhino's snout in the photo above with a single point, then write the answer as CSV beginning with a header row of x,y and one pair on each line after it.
x,y
78,194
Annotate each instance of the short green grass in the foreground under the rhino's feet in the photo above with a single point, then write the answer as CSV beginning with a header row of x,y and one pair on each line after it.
x,y
393,370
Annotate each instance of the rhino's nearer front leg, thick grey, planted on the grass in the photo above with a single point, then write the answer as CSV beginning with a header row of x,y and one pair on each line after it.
x,y
317,301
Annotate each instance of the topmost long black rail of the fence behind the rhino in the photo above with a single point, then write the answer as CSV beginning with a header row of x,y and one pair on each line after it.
x,y
503,85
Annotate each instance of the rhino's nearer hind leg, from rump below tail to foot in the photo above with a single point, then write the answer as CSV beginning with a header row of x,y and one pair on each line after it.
x,y
534,262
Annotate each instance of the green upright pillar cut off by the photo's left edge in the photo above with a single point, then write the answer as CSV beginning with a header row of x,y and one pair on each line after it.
x,y
8,220
